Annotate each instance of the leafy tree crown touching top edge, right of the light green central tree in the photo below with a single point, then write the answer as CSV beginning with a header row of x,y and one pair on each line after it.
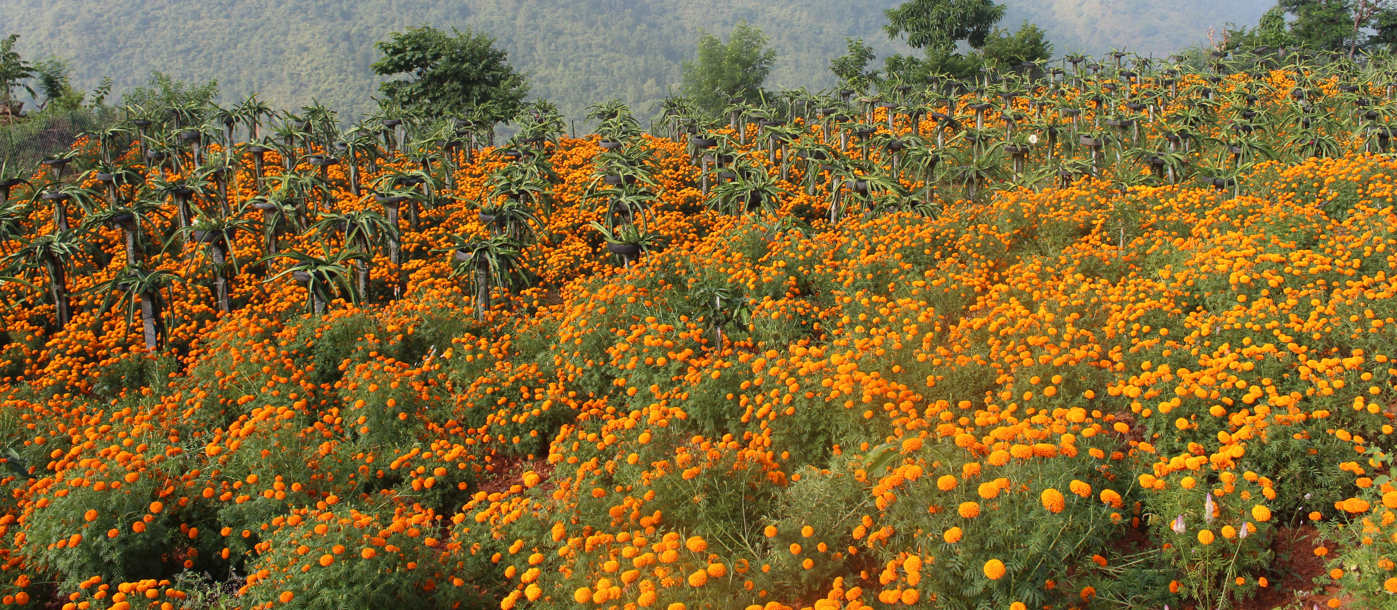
x,y
941,24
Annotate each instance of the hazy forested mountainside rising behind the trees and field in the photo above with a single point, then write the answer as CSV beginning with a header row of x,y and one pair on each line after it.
x,y
578,52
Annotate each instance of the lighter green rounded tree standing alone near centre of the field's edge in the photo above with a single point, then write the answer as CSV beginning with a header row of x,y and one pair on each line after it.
x,y
734,70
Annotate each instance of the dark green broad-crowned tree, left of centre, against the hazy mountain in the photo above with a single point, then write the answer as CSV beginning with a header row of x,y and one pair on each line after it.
x,y
449,75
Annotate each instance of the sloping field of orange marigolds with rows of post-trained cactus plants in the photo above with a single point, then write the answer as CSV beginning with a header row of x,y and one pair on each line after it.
x,y
410,372
